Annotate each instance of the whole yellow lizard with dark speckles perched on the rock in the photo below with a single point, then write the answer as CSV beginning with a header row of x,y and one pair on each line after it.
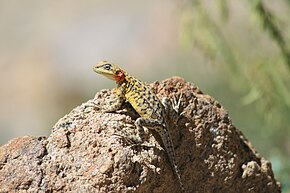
x,y
152,111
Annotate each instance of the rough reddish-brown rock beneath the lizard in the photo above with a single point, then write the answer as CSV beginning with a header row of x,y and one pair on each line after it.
x,y
87,151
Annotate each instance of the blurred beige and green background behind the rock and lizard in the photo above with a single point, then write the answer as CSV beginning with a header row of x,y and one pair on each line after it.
x,y
235,51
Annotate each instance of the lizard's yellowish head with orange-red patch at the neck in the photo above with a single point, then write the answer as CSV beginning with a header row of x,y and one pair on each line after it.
x,y
111,71
